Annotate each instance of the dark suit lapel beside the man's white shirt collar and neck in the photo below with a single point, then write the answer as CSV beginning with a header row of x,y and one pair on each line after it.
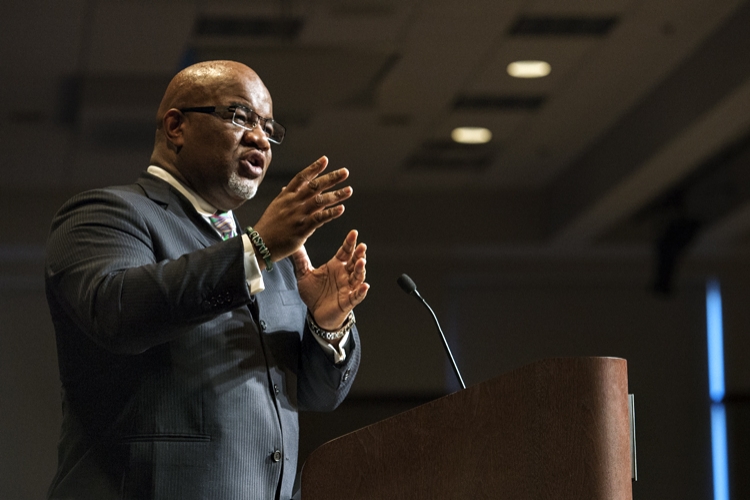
x,y
161,193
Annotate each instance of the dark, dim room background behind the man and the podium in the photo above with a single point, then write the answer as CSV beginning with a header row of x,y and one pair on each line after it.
x,y
612,190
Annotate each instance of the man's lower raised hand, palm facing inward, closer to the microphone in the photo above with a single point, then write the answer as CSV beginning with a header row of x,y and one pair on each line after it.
x,y
332,290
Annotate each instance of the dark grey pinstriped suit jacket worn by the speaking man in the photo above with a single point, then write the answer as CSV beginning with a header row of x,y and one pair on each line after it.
x,y
171,388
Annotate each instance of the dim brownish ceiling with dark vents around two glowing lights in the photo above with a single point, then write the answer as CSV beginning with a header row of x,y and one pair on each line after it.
x,y
640,134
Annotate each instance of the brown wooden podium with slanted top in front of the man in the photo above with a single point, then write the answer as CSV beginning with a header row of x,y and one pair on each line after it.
x,y
555,429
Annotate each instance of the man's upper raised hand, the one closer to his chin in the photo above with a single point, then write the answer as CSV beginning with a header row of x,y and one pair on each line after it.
x,y
304,205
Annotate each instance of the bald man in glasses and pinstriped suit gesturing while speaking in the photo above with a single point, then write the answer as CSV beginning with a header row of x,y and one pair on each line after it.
x,y
185,355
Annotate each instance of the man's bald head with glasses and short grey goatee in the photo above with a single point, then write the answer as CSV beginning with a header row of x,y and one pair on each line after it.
x,y
197,140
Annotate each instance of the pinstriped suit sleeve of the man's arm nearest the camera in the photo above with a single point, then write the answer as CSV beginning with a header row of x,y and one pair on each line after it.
x,y
107,270
